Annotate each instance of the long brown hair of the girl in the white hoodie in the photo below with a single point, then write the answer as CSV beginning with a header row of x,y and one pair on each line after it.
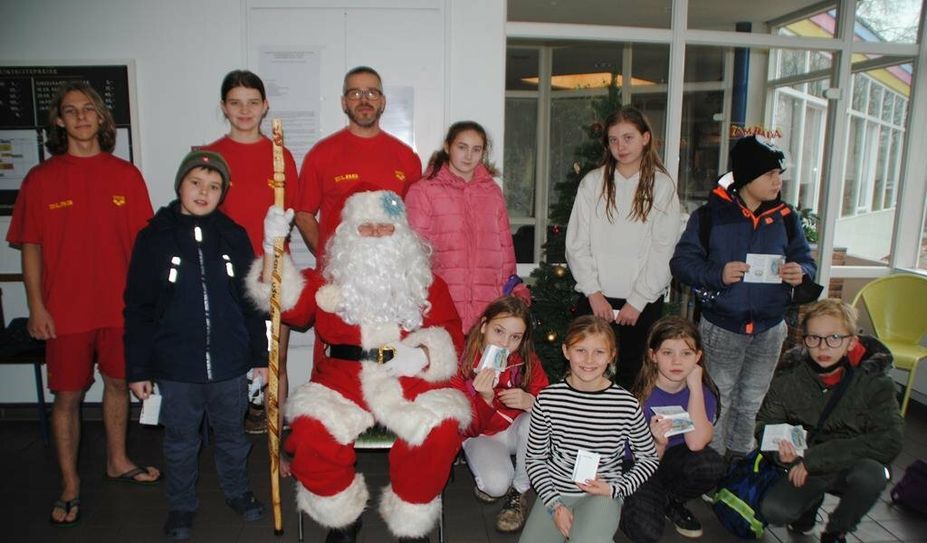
x,y
650,164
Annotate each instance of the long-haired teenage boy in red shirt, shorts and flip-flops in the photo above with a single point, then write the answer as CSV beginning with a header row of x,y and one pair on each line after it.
x,y
75,220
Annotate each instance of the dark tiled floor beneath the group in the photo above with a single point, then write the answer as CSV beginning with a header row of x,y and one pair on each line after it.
x,y
121,512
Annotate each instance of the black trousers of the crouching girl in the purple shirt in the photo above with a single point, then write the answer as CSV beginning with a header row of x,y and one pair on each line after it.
x,y
682,475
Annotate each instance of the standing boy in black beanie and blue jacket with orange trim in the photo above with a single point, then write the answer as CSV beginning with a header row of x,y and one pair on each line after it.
x,y
742,323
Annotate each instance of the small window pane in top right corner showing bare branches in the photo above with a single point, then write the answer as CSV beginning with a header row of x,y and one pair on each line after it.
x,y
887,20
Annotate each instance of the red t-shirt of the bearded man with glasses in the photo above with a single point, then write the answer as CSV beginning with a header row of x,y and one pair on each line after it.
x,y
336,165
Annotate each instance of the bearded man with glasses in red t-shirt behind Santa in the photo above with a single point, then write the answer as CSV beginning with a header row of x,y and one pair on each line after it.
x,y
359,155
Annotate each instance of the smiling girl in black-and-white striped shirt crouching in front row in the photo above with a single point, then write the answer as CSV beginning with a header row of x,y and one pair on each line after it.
x,y
585,413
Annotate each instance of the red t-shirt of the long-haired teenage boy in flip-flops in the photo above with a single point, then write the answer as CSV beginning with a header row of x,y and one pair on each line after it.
x,y
85,213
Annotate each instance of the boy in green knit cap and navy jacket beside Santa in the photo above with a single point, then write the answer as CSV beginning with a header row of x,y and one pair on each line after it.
x,y
189,328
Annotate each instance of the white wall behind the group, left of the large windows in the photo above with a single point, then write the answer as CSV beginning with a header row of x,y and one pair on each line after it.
x,y
182,49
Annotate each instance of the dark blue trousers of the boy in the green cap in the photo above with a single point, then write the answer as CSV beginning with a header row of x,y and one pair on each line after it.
x,y
183,406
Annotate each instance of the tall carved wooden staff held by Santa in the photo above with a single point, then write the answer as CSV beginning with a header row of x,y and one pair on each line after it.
x,y
272,408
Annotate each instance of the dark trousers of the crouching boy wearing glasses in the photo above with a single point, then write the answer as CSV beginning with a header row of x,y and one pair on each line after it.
x,y
859,488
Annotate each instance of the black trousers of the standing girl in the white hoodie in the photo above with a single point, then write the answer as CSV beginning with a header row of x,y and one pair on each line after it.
x,y
631,339
